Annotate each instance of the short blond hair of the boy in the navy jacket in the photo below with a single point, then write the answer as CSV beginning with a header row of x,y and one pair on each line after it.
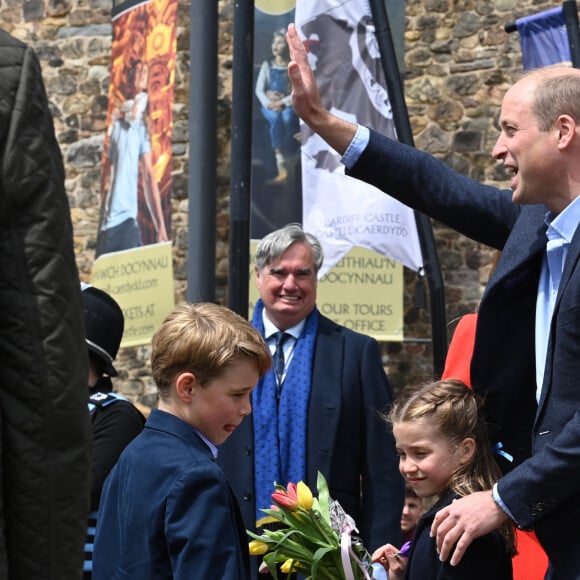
x,y
204,339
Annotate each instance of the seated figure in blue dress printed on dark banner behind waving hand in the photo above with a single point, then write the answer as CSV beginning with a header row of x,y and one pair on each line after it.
x,y
273,92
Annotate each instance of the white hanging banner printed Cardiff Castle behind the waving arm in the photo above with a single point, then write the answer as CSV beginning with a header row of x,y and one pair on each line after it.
x,y
341,211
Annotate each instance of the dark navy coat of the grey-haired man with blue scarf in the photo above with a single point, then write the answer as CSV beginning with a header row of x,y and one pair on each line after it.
x,y
347,439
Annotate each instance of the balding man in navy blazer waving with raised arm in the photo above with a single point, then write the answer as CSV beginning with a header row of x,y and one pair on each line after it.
x,y
526,357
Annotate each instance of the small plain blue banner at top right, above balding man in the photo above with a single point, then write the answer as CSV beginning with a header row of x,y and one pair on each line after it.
x,y
544,39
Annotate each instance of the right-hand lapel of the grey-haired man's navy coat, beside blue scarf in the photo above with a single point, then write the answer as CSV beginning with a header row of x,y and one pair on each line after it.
x,y
325,398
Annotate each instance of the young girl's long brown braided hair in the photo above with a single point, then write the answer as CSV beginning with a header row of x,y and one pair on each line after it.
x,y
456,413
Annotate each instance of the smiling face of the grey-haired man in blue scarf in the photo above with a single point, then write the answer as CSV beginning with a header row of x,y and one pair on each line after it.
x,y
288,286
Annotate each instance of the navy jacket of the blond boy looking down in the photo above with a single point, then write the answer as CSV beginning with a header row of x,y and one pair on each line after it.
x,y
168,512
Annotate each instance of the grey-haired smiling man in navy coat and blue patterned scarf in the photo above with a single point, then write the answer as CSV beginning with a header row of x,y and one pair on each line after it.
x,y
321,411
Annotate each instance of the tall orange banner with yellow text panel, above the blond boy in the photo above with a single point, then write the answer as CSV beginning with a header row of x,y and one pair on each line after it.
x,y
133,259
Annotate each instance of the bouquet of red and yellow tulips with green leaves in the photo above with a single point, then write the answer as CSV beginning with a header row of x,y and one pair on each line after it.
x,y
316,539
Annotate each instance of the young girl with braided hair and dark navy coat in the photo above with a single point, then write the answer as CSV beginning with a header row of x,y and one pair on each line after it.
x,y
443,451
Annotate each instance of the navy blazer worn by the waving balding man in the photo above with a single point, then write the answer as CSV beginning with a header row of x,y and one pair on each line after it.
x,y
541,488
